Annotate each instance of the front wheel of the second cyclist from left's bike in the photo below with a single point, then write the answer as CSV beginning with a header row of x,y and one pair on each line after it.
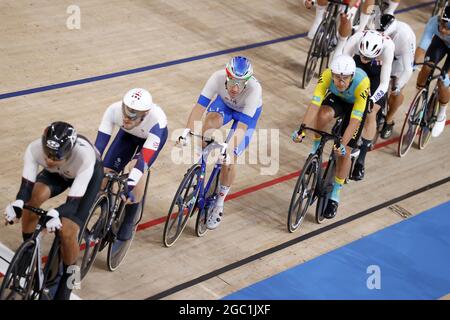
x,y
90,238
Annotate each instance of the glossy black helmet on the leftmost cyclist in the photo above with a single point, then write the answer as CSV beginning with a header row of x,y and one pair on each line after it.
x,y
58,140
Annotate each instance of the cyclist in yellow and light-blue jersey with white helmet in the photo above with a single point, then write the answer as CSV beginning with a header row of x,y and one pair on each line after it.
x,y
342,91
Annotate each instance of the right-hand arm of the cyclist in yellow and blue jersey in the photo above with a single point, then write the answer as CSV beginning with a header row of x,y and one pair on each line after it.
x,y
361,95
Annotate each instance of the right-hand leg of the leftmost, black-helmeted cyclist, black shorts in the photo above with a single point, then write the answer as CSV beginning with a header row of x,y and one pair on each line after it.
x,y
71,226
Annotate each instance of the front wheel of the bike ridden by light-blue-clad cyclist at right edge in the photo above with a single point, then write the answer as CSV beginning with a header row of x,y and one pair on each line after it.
x,y
411,123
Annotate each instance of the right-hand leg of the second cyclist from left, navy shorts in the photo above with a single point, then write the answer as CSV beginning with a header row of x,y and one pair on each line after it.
x,y
131,210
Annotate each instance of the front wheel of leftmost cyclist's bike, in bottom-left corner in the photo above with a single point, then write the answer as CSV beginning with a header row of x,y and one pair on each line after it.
x,y
19,279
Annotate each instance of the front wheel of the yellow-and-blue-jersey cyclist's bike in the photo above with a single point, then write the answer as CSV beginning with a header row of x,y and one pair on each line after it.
x,y
303,194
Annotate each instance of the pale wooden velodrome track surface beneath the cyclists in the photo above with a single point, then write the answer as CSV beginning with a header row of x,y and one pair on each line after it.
x,y
38,50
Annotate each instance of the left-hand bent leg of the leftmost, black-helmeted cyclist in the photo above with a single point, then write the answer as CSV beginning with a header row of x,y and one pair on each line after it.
x,y
48,185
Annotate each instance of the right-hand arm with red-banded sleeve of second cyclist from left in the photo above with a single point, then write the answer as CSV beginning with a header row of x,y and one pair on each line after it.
x,y
147,155
